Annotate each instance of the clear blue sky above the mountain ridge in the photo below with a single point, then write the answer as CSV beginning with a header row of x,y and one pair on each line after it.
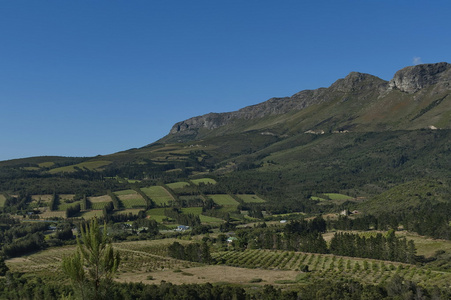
x,y
81,78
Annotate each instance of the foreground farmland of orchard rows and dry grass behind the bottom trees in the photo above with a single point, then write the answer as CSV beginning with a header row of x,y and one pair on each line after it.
x,y
148,262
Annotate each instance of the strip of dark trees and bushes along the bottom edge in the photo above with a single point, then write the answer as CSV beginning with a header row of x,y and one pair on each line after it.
x,y
18,286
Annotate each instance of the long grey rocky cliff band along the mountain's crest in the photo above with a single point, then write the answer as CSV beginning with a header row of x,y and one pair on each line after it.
x,y
408,80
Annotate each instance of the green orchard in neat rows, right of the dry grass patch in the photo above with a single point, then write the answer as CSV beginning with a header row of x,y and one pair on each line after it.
x,y
322,265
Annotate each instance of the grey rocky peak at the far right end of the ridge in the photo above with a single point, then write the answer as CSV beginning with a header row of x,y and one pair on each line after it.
x,y
414,78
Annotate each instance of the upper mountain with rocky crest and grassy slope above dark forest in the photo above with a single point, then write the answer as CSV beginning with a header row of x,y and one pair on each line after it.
x,y
417,97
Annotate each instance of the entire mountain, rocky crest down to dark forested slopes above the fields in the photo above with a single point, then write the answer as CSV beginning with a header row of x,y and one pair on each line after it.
x,y
361,136
